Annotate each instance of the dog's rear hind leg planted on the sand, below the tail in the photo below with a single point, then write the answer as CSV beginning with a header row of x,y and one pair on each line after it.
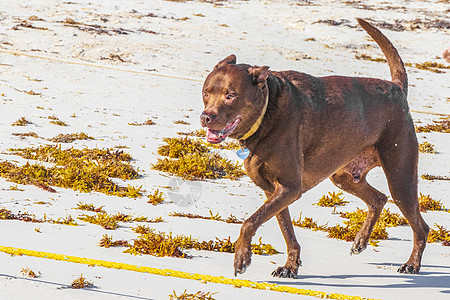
x,y
399,155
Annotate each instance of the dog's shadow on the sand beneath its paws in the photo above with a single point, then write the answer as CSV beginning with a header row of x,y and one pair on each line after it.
x,y
426,279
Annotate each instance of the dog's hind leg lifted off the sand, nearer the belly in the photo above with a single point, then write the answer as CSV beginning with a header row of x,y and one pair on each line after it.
x,y
374,199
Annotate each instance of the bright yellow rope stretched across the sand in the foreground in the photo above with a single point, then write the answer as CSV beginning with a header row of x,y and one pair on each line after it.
x,y
179,274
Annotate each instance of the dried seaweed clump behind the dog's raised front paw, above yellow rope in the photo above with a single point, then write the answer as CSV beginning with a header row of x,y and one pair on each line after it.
x,y
161,244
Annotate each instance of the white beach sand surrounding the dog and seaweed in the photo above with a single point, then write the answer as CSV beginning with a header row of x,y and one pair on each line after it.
x,y
105,95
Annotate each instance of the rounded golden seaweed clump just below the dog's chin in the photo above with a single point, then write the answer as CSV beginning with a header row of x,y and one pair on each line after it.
x,y
192,160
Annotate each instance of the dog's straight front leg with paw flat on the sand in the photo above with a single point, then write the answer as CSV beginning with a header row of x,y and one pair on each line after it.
x,y
290,269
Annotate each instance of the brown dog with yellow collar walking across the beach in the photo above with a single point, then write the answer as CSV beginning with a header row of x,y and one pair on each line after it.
x,y
302,129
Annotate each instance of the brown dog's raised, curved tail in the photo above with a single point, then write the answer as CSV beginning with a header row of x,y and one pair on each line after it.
x,y
398,72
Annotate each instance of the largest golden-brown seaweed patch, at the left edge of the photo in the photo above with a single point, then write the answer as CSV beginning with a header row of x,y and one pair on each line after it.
x,y
81,170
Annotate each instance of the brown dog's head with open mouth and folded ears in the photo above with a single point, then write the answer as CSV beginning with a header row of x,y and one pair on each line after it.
x,y
234,97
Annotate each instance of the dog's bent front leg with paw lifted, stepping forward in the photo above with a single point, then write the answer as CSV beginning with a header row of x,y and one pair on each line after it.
x,y
280,199
